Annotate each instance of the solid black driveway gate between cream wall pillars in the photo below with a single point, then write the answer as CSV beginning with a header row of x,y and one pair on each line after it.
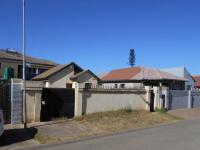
x,y
57,103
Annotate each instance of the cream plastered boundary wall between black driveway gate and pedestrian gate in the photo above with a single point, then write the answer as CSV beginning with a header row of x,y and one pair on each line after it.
x,y
93,100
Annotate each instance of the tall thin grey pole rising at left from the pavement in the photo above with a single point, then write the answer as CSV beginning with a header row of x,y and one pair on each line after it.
x,y
24,62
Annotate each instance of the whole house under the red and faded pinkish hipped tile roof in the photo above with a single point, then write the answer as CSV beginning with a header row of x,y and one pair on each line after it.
x,y
137,77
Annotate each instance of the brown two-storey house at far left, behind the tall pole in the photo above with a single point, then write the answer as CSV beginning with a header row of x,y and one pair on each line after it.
x,y
11,60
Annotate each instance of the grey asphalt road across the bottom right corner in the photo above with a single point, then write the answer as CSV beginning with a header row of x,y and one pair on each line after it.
x,y
184,135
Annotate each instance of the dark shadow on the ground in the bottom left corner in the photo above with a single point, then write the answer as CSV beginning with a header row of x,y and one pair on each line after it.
x,y
13,136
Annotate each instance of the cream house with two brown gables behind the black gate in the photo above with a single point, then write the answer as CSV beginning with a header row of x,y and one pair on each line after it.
x,y
63,76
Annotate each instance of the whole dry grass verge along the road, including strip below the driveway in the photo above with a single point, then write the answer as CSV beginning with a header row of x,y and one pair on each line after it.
x,y
102,123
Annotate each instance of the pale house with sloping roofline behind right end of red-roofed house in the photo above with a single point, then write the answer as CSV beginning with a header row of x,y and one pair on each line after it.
x,y
183,73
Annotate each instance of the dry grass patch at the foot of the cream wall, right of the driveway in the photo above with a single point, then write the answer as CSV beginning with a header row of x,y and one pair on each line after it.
x,y
112,121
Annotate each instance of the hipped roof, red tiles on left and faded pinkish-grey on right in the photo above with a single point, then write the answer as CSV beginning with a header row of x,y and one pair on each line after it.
x,y
139,73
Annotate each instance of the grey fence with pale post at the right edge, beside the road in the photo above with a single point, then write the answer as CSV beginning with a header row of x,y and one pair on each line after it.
x,y
184,99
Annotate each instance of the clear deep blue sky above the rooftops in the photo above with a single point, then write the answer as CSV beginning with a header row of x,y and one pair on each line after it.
x,y
98,34
